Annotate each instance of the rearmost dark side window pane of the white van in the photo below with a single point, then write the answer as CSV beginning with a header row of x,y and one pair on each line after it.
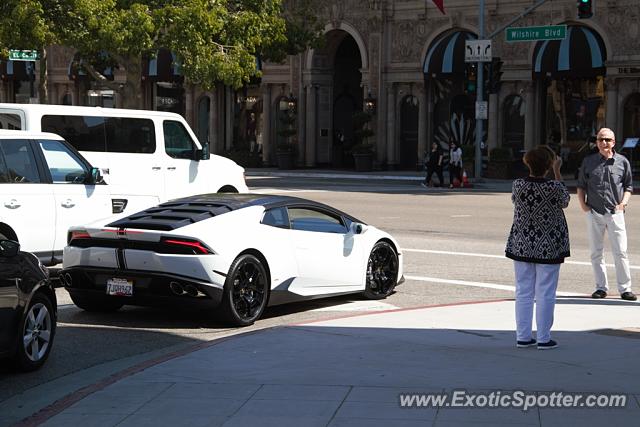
x,y
85,133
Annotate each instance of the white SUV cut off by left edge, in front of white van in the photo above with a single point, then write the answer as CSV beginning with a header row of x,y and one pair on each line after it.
x,y
46,186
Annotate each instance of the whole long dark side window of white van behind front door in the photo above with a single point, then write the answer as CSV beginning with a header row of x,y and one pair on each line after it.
x,y
103,134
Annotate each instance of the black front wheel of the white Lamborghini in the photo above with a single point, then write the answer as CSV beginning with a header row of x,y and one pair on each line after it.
x,y
382,271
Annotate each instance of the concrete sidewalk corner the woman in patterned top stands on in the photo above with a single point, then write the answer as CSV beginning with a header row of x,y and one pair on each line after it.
x,y
351,371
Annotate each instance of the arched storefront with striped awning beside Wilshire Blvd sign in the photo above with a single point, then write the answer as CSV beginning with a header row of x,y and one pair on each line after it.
x,y
569,75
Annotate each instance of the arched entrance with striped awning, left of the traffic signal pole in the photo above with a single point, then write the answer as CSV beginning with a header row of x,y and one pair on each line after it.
x,y
452,89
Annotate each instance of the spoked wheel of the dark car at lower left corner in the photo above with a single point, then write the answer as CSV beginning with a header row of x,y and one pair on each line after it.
x,y
36,333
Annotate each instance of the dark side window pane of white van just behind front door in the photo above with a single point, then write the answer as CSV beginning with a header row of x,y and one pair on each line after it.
x,y
130,135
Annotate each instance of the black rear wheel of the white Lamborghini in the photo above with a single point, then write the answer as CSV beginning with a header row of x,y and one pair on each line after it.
x,y
245,291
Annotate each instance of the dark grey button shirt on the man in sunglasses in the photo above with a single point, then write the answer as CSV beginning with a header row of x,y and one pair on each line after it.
x,y
605,181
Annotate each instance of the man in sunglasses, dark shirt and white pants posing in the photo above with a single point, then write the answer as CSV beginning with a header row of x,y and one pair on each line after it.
x,y
605,185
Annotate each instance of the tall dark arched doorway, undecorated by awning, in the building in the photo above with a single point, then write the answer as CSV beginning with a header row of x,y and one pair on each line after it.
x,y
347,97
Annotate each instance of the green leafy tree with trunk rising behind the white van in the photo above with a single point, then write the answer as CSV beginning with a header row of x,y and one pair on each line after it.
x,y
213,40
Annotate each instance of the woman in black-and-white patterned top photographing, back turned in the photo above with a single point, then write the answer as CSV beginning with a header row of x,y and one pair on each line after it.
x,y
538,243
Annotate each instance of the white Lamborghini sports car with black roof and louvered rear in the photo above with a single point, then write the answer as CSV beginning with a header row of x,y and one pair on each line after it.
x,y
234,253
